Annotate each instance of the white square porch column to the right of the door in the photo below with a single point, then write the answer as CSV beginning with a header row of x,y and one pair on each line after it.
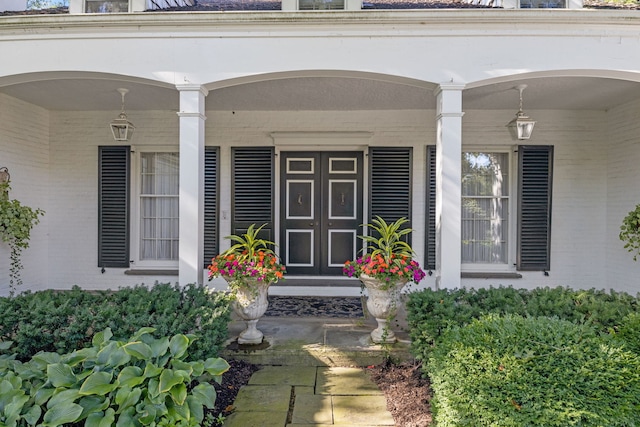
x,y
448,190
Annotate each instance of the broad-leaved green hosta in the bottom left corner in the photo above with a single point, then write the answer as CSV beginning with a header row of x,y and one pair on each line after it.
x,y
144,381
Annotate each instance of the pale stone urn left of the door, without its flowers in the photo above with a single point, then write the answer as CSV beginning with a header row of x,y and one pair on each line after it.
x,y
250,302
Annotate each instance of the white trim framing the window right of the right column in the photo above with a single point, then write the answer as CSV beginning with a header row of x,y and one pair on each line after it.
x,y
510,265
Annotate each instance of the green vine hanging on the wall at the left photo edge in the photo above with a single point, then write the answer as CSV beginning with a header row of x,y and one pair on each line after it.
x,y
16,222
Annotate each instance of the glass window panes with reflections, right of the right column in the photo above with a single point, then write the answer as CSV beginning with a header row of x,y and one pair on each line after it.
x,y
485,208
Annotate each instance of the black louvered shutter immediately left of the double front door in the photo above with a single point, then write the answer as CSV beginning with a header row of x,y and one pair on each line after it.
x,y
252,190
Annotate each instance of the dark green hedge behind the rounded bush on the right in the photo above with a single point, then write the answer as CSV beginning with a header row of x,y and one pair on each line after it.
x,y
431,312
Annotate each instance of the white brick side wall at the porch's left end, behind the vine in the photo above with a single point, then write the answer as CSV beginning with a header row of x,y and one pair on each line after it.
x,y
24,150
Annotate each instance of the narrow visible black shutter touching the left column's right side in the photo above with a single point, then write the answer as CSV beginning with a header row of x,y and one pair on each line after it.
x,y
211,200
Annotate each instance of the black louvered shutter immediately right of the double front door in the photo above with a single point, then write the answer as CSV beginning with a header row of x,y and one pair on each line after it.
x,y
390,183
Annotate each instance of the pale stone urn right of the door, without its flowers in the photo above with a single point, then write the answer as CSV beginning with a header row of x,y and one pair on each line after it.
x,y
382,302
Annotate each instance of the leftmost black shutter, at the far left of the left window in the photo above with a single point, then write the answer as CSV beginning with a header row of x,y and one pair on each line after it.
x,y
113,206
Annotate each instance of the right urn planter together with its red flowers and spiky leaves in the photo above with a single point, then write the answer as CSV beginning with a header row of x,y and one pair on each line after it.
x,y
384,268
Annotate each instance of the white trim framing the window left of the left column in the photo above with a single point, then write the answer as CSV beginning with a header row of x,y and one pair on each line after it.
x,y
136,262
